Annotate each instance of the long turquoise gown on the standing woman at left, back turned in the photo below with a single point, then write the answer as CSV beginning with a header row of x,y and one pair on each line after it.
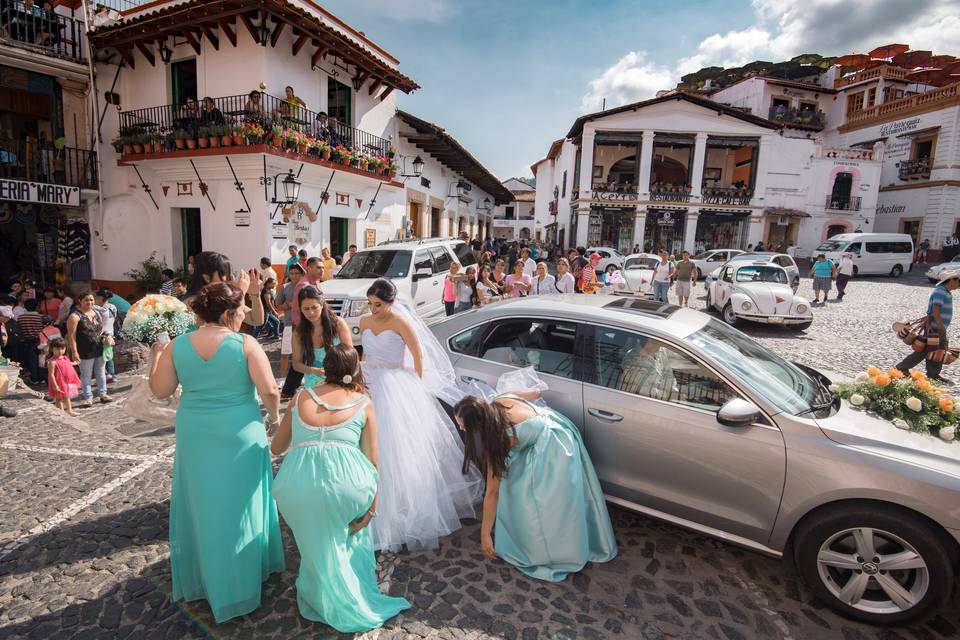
x,y
224,529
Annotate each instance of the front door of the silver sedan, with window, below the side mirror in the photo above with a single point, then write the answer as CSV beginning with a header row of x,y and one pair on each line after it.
x,y
652,432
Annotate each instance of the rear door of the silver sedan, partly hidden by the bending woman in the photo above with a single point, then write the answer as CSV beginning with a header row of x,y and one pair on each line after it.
x,y
488,350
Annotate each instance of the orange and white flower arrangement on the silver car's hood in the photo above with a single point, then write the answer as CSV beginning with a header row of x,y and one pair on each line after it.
x,y
910,402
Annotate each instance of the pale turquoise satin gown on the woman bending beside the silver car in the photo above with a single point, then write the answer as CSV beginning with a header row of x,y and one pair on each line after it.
x,y
551,514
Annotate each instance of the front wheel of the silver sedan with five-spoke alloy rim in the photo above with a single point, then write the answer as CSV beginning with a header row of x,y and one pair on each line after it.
x,y
892,531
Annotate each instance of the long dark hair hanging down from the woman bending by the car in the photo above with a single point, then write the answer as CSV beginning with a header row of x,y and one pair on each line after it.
x,y
488,435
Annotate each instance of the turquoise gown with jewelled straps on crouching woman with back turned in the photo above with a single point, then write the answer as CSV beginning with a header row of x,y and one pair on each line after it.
x,y
324,483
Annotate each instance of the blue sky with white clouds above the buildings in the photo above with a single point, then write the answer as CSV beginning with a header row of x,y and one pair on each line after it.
x,y
506,77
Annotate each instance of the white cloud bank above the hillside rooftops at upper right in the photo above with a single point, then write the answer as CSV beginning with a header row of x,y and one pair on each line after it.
x,y
783,29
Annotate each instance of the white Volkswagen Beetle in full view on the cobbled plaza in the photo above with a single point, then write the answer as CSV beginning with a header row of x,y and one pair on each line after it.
x,y
759,292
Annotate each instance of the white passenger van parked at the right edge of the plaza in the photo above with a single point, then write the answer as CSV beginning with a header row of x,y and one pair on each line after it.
x,y
873,253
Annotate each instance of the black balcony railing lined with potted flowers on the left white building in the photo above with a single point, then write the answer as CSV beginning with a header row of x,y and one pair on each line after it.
x,y
260,116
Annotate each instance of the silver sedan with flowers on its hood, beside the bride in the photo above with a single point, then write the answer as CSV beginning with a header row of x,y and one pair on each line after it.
x,y
689,420
